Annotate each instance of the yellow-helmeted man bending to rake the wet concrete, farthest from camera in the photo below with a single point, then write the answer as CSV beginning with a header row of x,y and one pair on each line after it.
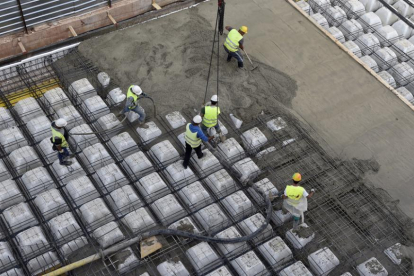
x,y
233,42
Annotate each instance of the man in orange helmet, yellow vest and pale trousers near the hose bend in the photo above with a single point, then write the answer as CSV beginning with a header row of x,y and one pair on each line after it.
x,y
296,200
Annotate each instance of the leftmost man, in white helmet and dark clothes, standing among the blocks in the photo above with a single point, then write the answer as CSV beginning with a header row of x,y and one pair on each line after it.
x,y
59,139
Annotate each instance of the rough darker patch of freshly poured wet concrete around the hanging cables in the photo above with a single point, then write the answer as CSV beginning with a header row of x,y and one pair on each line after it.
x,y
169,59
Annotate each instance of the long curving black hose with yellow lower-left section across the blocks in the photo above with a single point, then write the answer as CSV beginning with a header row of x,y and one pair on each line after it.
x,y
167,232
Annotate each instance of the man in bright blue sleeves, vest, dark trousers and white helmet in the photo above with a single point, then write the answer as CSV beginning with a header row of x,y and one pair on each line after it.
x,y
193,137
